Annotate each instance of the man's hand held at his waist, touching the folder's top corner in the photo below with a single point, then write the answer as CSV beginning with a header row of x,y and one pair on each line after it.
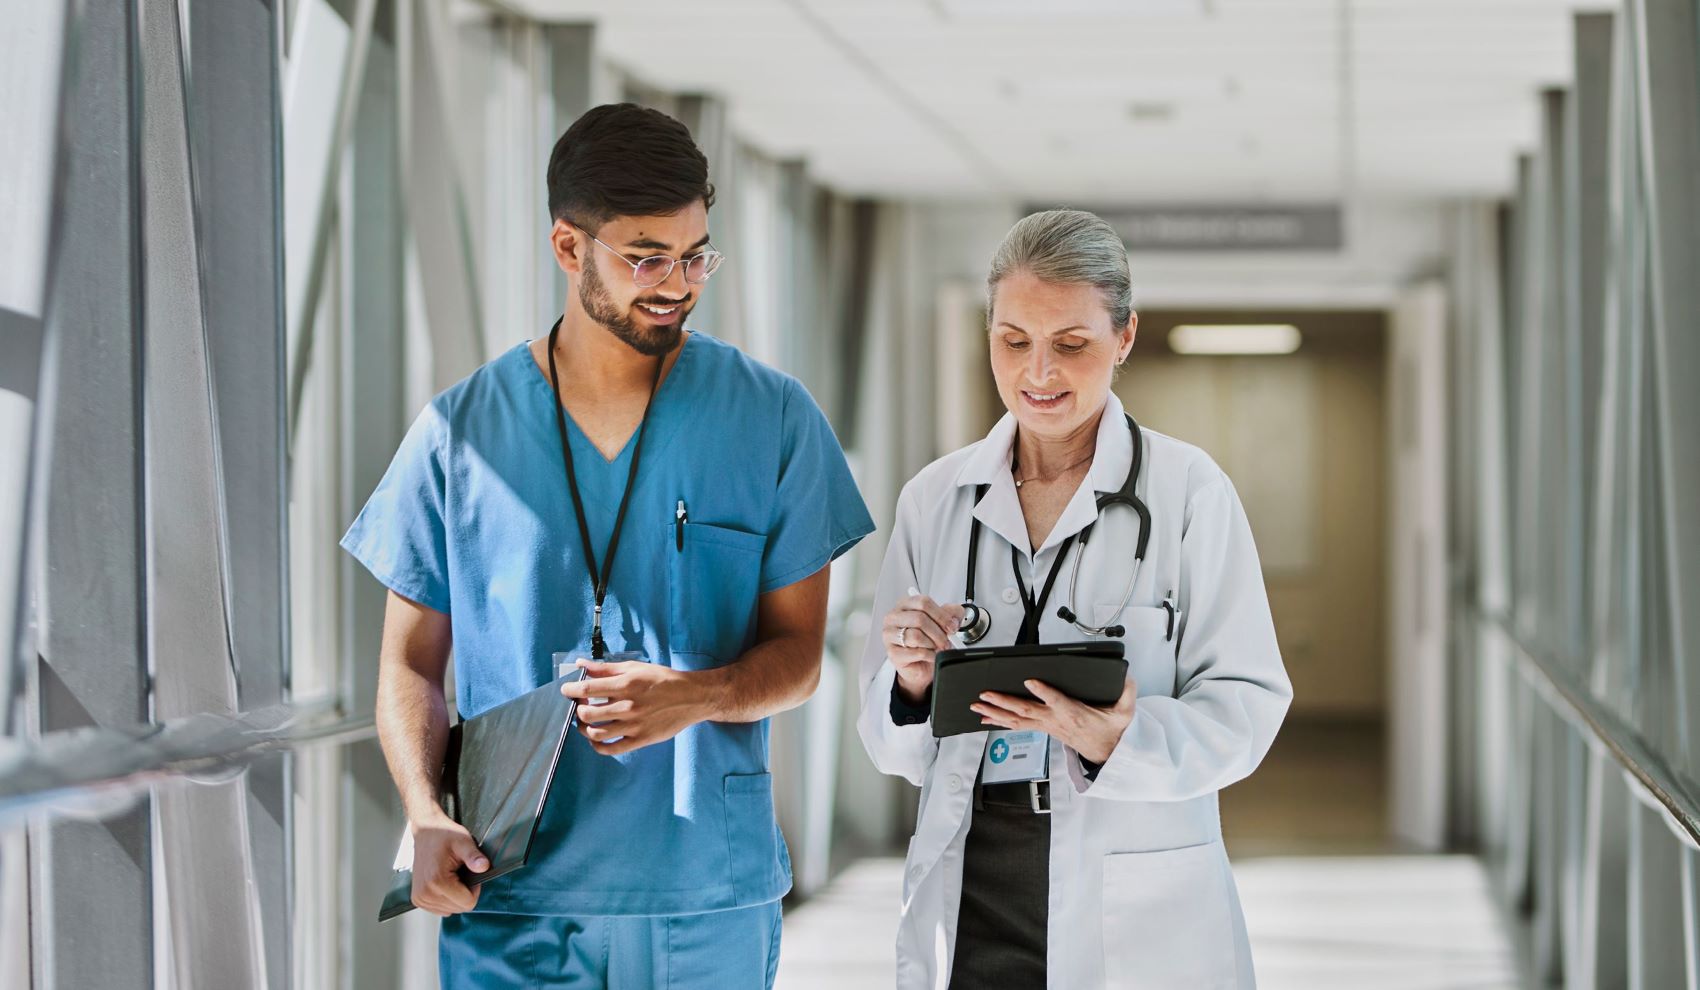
x,y
638,703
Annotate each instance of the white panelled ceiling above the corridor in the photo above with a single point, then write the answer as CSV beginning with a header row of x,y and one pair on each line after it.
x,y
1102,101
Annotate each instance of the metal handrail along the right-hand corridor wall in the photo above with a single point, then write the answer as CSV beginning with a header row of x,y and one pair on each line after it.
x,y
1660,785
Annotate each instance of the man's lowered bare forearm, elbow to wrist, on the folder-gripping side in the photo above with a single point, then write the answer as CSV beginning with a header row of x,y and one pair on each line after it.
x,y
414,731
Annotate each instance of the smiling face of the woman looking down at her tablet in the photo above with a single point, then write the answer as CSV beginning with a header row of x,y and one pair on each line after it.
x,y
1055,353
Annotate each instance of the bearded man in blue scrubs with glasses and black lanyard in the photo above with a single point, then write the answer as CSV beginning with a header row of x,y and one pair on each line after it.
x,y
616,486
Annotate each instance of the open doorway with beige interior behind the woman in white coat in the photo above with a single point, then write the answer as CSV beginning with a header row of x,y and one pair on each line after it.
x,y
1303,438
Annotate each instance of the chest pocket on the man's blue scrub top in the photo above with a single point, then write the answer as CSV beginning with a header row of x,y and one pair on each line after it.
x,y
715,574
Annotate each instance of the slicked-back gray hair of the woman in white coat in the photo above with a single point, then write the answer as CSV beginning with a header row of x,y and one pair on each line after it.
x,y
1068,247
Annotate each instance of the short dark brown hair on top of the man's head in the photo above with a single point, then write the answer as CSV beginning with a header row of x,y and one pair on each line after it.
x,y
626,161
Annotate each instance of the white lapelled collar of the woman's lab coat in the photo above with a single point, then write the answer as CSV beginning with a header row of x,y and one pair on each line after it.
x,y
1000,509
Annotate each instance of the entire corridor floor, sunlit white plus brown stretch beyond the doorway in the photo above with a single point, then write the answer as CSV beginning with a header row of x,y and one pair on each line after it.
x,y
1330,904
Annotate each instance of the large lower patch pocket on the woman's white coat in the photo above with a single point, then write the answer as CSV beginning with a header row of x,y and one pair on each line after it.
x,y
1169,919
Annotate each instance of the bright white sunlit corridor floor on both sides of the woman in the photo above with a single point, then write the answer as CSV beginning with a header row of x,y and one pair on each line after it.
x,y
1386,923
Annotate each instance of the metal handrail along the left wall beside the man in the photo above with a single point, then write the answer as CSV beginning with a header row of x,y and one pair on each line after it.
x,y
99,771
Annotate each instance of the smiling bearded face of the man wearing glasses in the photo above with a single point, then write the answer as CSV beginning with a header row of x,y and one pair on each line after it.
x,y
652,319
